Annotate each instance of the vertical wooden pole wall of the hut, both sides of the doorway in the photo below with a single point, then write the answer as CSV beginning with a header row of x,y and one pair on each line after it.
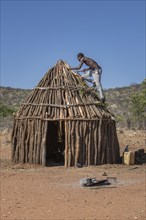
x,y
89,142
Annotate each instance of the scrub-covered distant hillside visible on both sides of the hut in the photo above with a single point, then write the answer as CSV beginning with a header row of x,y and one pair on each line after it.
x,y
118,100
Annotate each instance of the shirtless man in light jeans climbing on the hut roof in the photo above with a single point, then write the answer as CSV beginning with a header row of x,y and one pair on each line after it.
x,y
94,71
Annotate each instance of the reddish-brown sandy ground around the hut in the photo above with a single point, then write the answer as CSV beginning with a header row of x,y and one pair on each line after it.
x,y
35,192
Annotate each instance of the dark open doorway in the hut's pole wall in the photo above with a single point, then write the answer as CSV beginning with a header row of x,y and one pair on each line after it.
x,y
55,143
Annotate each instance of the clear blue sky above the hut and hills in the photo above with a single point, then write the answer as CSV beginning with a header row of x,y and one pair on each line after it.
x,y
36,34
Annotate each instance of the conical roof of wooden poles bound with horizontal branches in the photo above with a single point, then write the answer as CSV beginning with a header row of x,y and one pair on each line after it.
x,y
62,94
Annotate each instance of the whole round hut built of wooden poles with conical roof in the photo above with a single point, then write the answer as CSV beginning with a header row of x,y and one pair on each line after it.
x,y
63,116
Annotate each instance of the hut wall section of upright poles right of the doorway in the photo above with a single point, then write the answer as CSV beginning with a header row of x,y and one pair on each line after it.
x,y
90,144
